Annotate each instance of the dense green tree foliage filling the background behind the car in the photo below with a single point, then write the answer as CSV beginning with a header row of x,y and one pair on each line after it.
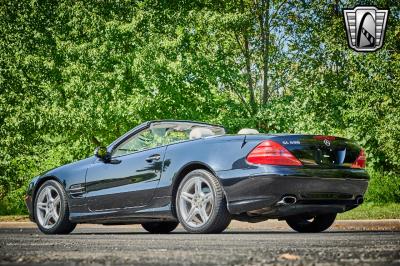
x,y
75,73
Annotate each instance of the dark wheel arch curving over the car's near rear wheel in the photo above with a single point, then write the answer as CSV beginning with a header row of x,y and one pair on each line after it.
x,y
182,173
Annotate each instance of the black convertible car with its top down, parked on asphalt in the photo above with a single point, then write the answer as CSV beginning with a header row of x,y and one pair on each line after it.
x,y
162,173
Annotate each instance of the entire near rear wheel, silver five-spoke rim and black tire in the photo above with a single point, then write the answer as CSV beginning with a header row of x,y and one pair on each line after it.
x,y
200,203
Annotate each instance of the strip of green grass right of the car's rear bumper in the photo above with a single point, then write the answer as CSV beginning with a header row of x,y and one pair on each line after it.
x,y
372,211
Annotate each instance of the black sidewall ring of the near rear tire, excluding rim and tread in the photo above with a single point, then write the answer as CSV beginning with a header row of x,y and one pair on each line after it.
x,y
217,200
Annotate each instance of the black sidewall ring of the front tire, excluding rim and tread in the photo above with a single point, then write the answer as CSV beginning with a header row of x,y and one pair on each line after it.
x,y
60,191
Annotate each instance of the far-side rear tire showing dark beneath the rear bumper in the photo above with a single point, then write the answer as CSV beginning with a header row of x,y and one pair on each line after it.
x,y
311,224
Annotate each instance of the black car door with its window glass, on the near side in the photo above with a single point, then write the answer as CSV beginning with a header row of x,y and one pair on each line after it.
x,y
129,179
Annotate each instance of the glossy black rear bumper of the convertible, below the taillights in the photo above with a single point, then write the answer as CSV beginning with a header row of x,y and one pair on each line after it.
x,y
261,192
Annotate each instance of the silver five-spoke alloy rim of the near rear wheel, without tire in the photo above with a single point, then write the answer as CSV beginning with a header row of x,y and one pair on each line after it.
x,y
196,201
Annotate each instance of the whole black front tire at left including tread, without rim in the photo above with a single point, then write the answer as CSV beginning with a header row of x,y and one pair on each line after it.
x,y
63,225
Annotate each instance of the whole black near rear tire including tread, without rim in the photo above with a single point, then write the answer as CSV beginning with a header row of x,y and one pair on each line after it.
x,y
219,218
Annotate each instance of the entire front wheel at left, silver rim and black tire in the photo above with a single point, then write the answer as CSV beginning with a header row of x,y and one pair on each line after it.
x,y
51,209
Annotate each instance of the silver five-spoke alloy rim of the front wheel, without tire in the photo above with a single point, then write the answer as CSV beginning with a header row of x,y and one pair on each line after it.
x,y
48,207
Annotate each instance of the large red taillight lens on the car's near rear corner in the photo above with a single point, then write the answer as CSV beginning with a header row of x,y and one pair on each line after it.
x,y
270,152
